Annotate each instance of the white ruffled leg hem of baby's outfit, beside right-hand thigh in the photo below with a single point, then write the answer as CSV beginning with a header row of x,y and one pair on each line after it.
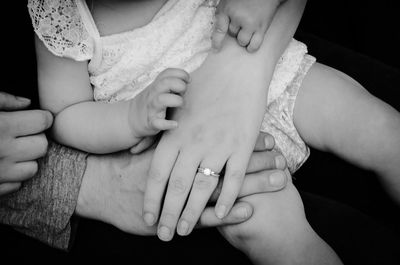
x,y
278,120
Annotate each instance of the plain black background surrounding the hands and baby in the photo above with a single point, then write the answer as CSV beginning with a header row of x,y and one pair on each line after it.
x,y
360,38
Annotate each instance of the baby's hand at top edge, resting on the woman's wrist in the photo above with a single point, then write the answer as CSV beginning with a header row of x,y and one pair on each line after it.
x,y
247,20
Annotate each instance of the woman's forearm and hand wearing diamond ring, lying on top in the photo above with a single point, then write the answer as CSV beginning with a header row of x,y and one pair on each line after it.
x,y
218,126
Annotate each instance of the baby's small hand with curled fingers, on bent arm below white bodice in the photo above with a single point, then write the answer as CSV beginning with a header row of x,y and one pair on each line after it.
x,y
147,111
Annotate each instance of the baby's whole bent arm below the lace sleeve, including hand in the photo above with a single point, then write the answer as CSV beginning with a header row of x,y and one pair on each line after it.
x,y
65,90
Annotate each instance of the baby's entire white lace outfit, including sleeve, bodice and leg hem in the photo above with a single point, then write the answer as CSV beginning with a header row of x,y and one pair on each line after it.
x,y
122,65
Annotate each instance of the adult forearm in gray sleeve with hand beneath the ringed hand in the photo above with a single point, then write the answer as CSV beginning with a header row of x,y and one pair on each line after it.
x,y
69,182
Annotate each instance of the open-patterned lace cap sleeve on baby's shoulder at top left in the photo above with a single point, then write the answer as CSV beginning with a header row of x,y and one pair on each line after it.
x,y
59,25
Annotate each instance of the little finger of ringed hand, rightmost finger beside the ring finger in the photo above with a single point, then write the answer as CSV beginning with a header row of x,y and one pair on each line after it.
x,y
233,180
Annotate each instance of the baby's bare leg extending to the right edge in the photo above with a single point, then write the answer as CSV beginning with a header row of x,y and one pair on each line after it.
x,y
334,113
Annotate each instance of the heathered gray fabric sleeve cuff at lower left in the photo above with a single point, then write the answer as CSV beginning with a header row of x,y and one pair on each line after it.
x,y
43,207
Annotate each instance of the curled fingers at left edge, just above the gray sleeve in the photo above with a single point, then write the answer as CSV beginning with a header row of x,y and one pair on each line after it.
x,y
21,141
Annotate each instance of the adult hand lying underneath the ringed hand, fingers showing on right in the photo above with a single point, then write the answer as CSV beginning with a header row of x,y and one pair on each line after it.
x,y
113,187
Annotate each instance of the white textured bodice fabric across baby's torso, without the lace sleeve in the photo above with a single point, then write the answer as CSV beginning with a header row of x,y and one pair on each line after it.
x,y
178,36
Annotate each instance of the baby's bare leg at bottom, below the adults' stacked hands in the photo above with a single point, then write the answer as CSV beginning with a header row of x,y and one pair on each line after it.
x,y
278,232
